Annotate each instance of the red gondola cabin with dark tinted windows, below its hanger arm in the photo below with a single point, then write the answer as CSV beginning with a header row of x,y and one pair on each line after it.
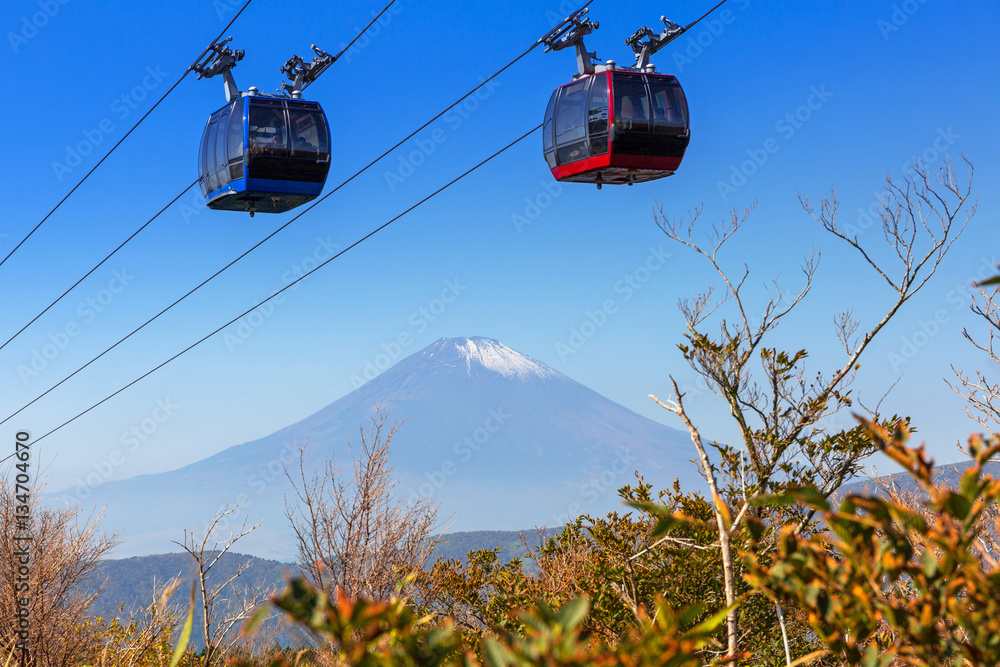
x,y
616,126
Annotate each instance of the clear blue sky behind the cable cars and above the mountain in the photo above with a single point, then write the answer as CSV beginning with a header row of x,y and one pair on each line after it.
x,y
887,79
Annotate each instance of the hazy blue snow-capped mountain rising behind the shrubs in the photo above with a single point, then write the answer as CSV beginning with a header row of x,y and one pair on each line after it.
x,y
502,441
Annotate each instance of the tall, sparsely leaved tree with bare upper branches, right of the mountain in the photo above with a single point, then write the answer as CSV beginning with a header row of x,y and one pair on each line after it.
x,y
780,410
